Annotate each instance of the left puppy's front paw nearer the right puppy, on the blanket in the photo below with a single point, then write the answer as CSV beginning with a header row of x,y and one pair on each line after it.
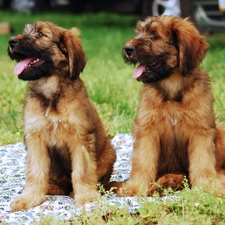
x,y
81,199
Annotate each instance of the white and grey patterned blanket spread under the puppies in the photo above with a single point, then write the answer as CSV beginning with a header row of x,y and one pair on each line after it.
x,y
12,180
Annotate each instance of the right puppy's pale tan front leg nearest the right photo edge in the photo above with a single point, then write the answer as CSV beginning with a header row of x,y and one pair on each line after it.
x,y
202,163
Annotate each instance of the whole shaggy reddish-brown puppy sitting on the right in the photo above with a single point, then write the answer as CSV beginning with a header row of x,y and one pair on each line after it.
x,y
174,130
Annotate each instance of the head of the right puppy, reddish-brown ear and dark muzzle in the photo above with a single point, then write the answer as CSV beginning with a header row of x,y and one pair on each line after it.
x,y
162,45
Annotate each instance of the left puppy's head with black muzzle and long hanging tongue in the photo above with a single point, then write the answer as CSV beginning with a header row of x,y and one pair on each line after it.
x,y
44,49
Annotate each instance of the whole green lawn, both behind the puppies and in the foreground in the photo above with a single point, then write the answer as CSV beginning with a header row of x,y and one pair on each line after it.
x,y
115,94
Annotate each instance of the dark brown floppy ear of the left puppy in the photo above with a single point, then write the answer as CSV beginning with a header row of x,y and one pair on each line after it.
x,y
72,47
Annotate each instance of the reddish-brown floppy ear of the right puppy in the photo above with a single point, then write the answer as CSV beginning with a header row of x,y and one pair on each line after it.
x,y
191,45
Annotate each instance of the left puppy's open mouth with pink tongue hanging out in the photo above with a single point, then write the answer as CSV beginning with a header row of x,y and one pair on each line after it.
x,y
27,63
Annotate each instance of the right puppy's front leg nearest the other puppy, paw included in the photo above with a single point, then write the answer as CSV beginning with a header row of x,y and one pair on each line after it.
x,y
144,165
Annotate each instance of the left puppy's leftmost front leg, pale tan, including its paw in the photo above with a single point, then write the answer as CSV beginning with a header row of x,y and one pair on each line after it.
x,y
38,163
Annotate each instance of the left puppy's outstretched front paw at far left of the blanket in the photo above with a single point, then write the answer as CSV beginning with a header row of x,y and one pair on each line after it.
x,y
23,203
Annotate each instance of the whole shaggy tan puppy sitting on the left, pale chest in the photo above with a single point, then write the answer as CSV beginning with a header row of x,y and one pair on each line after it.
x,y
67,146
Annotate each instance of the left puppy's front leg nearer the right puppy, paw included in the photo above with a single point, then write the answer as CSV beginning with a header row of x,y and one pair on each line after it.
x,y
84,177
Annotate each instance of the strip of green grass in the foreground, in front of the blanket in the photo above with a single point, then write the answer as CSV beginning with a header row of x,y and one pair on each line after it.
x,y
189,207
